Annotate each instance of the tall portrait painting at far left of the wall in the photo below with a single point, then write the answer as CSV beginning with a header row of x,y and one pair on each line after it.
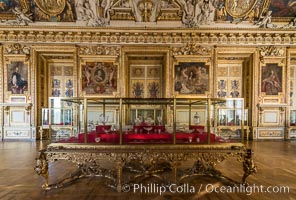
x,y
17,77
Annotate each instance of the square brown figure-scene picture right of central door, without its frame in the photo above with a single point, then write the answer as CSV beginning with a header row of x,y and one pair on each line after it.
x,y
191,78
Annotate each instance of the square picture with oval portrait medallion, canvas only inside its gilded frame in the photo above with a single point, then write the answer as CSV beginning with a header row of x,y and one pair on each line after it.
x,y
99,78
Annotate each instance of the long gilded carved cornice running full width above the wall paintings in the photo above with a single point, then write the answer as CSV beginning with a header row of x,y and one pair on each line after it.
x,y
148,36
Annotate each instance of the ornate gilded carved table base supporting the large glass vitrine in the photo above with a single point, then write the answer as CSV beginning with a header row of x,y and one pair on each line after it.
x,y
141,162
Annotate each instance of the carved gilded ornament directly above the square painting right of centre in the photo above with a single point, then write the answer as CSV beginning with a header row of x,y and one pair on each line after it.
x,y
191,49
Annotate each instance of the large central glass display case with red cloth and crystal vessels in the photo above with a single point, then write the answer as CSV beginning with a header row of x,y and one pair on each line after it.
x,y
140,121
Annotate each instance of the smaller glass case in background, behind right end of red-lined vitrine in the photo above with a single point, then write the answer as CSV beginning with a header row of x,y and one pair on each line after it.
x,y
232,118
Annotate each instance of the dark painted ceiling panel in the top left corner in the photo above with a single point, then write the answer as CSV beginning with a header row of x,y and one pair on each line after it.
x,y
7,6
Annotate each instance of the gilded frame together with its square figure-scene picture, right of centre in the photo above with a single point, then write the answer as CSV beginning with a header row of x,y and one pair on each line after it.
x,y
192,77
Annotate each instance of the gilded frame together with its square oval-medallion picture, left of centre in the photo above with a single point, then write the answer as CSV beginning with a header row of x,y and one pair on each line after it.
x,y
99,77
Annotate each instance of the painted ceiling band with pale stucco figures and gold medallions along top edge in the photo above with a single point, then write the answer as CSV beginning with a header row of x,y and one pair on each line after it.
x,y
100,12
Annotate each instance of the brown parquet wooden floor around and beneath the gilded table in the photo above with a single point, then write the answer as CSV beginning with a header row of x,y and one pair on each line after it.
x,y
275,160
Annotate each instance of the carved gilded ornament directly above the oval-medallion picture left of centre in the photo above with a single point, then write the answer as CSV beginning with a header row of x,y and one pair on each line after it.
x,y
99,50
